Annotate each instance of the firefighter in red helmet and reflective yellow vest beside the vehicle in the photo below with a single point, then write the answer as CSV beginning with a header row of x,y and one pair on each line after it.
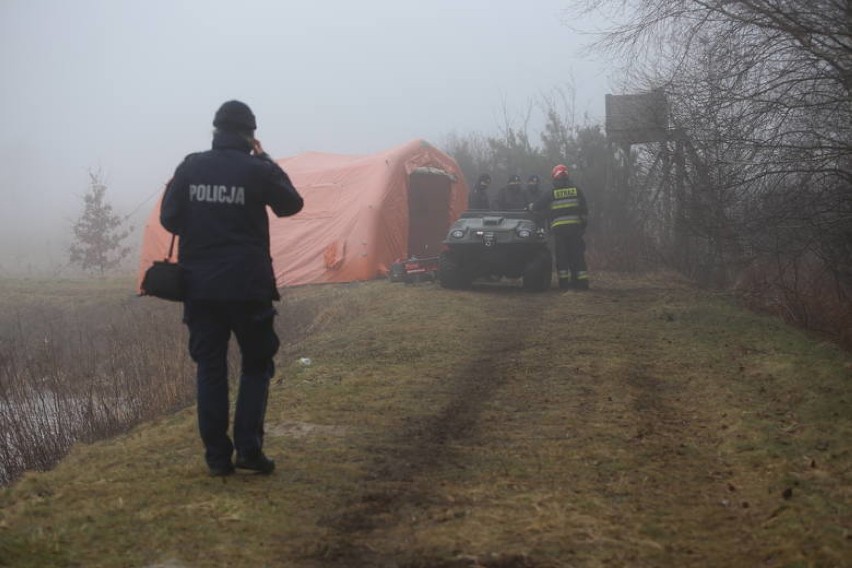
x,y
566,206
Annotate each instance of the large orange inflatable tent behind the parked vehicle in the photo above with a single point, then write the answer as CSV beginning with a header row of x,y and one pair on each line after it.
x,y
361,214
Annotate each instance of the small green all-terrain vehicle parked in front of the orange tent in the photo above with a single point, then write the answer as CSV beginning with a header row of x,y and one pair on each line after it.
x,y
494,245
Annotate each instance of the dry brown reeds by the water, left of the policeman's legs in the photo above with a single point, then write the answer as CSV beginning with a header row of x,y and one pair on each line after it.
x,y
82,360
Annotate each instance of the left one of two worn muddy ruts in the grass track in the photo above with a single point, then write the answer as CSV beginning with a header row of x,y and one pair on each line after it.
x,y
426,443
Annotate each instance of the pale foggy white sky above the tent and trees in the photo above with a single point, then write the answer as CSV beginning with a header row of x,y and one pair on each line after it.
x,y
130,87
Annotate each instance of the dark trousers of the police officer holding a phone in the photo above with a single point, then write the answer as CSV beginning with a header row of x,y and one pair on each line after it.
x,y
210,326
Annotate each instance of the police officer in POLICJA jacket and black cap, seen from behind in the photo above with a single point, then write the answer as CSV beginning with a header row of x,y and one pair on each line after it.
x,y
216,204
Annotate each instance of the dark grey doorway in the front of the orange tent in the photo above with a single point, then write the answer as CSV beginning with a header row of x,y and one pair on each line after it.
x,y
428,211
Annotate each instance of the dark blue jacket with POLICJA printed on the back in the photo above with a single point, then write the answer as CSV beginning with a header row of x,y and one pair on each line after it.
x,y
216,203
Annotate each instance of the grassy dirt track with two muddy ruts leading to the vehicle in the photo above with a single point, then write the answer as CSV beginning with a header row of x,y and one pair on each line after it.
x,y
576,432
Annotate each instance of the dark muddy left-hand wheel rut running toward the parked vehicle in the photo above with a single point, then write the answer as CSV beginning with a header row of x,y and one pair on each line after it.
x,y
424,443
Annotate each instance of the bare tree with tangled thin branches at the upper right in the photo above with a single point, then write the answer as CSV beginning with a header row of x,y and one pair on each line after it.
x,y
760,99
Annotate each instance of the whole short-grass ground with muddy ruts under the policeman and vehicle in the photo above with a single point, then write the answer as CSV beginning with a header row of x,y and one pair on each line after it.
x,y
644,423
